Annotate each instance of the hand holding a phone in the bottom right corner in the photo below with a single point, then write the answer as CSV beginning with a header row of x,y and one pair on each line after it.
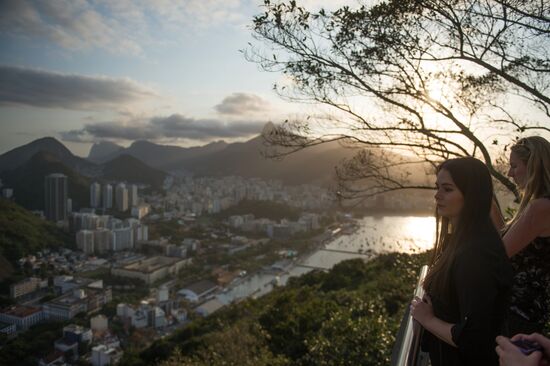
x,y
510,355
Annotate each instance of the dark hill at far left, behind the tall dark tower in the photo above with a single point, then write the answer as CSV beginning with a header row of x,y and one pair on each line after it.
x,y
27,180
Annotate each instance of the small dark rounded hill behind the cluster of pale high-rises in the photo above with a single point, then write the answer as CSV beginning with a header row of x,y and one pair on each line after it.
x,y
132,170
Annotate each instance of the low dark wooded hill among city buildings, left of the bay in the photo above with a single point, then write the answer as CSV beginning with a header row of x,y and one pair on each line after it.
x,y
262,209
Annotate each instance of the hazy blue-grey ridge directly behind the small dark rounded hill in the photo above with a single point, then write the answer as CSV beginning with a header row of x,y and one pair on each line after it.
x,y
165,157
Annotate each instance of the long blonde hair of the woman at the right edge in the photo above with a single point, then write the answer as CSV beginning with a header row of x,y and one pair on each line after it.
x,y
534,152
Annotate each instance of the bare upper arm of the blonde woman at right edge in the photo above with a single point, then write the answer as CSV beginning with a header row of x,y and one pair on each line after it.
x,y
534,222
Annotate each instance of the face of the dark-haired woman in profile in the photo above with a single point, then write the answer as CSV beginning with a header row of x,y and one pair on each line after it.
x,y
448,197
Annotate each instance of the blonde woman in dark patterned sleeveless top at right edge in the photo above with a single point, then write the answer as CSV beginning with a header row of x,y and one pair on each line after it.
x,y
527,236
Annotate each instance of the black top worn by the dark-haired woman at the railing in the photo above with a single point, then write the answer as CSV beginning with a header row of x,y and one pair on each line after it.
x,y
481,277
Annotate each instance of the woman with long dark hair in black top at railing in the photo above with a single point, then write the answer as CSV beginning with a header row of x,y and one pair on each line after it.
x,y
470,276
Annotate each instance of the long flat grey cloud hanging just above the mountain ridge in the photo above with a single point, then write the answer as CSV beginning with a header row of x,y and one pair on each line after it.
x,y
174,127
